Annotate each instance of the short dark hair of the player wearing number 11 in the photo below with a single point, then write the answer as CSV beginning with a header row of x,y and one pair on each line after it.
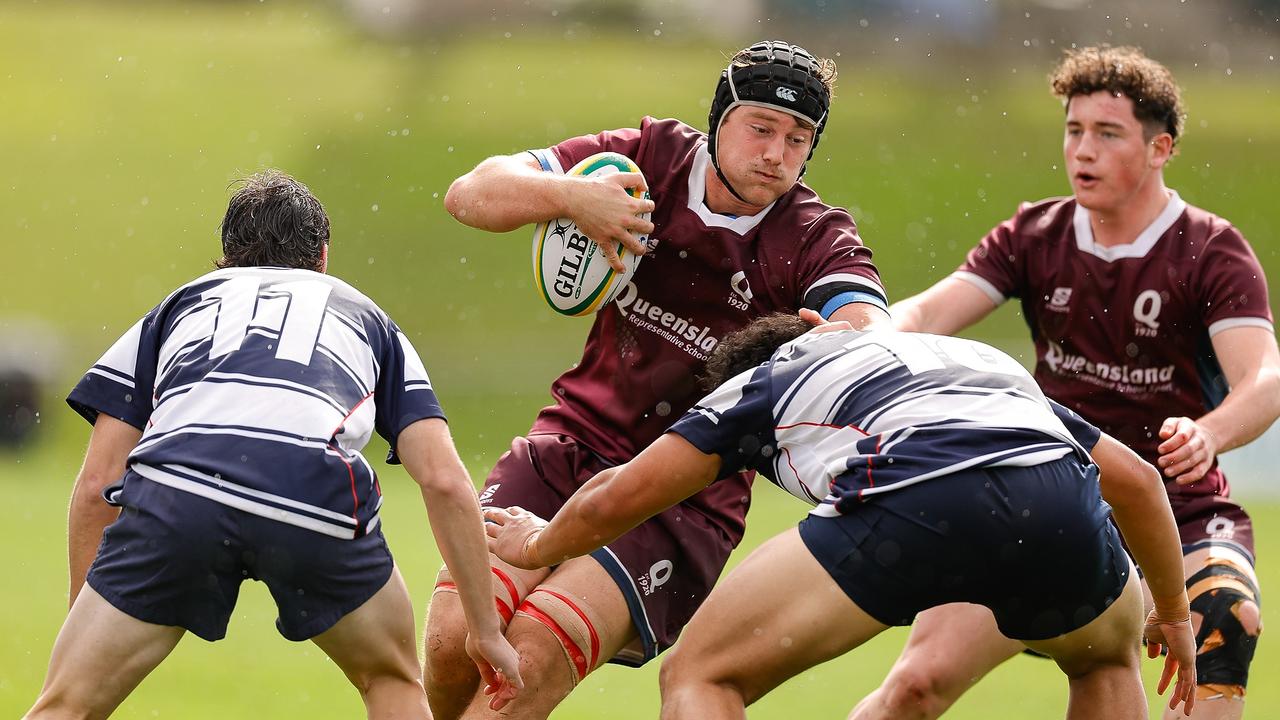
x,y
275,221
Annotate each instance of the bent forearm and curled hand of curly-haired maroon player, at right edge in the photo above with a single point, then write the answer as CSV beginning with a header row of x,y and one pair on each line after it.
x,y
1252,367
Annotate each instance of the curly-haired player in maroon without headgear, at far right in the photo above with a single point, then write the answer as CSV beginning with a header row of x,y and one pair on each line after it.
x,y
1151,320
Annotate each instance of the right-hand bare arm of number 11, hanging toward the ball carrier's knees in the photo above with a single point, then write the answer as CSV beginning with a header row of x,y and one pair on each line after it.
x,y
428,454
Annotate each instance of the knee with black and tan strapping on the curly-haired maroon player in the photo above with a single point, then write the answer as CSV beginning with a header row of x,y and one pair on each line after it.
x,y
1228,601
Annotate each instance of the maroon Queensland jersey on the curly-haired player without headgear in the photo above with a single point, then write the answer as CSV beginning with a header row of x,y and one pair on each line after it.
x,y
1123,334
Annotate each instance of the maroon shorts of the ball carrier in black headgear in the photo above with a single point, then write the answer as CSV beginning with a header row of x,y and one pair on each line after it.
x,y
665,567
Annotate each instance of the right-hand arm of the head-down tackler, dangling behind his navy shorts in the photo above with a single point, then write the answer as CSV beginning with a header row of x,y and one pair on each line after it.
x,y
1141,509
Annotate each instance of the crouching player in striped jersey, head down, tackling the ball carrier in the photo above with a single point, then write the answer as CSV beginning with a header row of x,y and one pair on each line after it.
x,y
940,475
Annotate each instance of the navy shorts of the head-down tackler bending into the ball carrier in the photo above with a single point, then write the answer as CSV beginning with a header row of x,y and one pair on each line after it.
x,y
1031,544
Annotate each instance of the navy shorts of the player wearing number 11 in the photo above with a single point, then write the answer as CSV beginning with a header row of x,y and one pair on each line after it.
x,y
177,559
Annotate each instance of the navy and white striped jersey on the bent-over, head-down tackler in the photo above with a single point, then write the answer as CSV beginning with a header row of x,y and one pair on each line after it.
x,y
839,418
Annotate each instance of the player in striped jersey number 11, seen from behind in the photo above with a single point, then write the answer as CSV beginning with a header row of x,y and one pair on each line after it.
x,y
227,434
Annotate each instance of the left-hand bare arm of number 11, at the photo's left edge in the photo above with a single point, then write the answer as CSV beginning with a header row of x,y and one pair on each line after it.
x,y
109,449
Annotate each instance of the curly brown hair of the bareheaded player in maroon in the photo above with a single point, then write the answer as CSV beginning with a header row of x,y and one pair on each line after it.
x,y
1124,71
